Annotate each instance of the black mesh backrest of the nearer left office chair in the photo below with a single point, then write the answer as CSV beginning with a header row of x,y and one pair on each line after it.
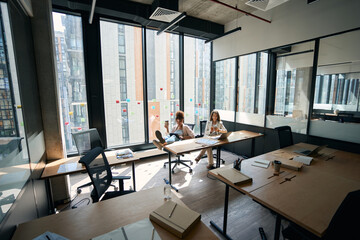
x,y
99,171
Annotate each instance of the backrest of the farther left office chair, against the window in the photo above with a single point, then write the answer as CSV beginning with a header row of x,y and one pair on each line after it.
x,y
87,140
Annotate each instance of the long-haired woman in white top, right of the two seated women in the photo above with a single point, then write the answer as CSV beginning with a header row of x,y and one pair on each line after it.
x,y
213,127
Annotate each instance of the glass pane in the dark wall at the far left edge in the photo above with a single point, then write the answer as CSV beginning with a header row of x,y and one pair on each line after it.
x,y
14,160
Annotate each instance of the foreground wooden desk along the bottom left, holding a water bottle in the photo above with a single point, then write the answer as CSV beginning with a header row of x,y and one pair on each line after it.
x,y
102,217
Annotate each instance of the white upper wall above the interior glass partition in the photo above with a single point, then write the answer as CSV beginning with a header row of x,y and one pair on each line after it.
x,y
292,22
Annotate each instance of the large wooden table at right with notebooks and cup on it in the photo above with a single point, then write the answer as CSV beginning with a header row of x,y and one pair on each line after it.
x,y
311,198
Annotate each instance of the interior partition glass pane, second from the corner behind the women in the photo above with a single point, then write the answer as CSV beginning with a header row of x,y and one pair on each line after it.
x,y
252,89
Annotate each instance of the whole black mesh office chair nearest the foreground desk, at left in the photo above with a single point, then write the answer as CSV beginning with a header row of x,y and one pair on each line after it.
x,y
101,177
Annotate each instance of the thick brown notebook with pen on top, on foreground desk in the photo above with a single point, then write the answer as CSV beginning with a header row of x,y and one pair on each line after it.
x,y
175,218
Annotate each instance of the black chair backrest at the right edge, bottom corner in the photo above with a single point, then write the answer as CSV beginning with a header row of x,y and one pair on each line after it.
x,y
344,225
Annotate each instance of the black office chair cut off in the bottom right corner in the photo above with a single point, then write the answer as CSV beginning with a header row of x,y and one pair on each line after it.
x,y
343,224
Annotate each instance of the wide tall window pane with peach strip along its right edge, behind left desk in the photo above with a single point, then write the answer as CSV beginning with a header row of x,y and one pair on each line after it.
x,y
121,54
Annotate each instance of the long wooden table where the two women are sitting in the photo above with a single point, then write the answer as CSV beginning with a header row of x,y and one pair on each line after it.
x,y
190,145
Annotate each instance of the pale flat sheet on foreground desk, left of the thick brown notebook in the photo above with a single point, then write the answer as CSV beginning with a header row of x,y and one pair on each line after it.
x,y
142,229
